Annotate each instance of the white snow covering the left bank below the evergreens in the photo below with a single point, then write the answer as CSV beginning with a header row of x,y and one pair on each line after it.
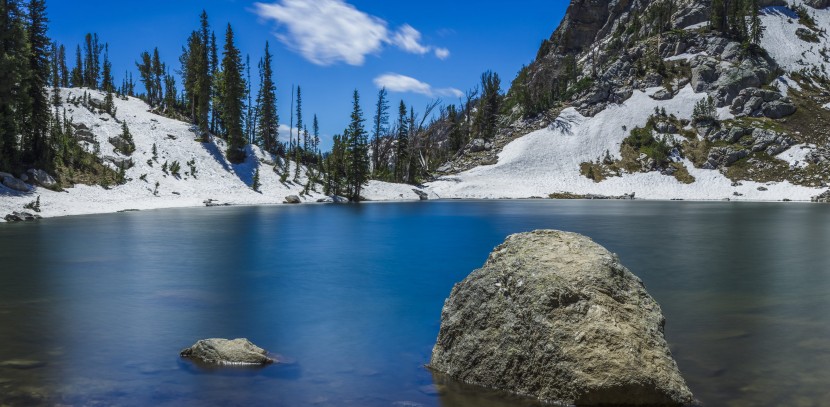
x,y
216,179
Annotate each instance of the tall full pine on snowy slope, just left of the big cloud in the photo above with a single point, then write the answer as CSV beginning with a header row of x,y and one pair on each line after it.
x,y
232,94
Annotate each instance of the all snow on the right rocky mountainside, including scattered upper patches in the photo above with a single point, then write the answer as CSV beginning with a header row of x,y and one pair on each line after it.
x,y
548,161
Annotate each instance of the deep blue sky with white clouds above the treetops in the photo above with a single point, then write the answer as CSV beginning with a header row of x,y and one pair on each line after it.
x,y
420,50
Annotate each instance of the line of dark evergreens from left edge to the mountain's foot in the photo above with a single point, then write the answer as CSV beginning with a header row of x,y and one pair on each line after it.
x,y
215,94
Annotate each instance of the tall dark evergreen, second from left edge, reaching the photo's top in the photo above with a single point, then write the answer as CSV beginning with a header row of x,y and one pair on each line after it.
x,y
36,127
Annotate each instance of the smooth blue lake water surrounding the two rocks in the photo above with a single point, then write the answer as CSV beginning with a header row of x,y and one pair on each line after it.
x,y
351,296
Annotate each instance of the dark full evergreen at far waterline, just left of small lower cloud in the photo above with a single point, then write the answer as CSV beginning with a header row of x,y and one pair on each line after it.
x,y
357,151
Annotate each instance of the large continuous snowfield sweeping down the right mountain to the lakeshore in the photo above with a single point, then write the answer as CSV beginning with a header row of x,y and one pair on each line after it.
x,y
547,161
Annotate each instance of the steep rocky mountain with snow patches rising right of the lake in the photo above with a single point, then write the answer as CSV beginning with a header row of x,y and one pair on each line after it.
x,y
665,99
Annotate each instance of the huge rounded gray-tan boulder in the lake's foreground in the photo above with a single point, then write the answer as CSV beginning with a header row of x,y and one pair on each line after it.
x,y
555,316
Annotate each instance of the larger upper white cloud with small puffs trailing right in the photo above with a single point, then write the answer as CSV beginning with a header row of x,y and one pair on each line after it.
x,y
326,32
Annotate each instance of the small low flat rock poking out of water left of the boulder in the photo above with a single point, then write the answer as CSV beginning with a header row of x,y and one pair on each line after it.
x,y
227,352
